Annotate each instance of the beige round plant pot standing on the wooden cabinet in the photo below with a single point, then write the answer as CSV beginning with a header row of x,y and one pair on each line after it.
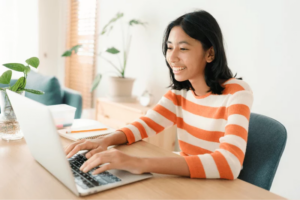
x,y
120,89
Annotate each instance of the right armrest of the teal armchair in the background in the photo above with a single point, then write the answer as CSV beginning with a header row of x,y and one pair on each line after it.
x,y
73,98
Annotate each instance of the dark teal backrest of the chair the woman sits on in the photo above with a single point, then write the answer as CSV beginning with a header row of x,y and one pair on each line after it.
x,y
266,142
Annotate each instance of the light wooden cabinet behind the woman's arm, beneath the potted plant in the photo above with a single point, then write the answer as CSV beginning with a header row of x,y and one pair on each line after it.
x,y
118,115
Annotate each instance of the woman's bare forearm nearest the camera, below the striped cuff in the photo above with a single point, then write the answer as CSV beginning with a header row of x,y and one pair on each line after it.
x,y
164,165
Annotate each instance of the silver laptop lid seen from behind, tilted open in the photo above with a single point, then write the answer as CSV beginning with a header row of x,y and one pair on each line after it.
x,y
42,138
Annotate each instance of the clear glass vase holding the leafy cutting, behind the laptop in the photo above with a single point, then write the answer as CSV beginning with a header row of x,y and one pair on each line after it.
x,y
9,125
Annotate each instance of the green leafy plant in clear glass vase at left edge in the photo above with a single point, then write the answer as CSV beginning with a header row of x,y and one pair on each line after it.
x,y
9,126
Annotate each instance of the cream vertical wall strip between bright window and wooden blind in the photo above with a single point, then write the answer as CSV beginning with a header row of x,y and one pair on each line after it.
x,y
52,33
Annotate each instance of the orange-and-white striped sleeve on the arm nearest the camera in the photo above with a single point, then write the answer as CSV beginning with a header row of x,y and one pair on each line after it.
x,y
227,160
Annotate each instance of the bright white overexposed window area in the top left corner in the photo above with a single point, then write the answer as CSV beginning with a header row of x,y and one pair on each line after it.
x,y
18,32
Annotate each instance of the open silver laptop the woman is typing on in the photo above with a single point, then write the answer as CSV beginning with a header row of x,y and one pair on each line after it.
x,y
45,146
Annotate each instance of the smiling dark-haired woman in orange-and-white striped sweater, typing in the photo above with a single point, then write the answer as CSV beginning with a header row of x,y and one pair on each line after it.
x,y
210,107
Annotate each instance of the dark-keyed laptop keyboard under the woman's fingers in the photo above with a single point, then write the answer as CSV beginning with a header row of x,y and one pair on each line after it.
x,y
87,180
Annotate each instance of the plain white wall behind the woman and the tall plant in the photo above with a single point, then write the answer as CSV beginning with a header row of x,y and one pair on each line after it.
x,y
261,39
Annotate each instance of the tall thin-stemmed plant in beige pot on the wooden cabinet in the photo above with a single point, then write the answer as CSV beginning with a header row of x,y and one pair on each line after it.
x,y
120,86
